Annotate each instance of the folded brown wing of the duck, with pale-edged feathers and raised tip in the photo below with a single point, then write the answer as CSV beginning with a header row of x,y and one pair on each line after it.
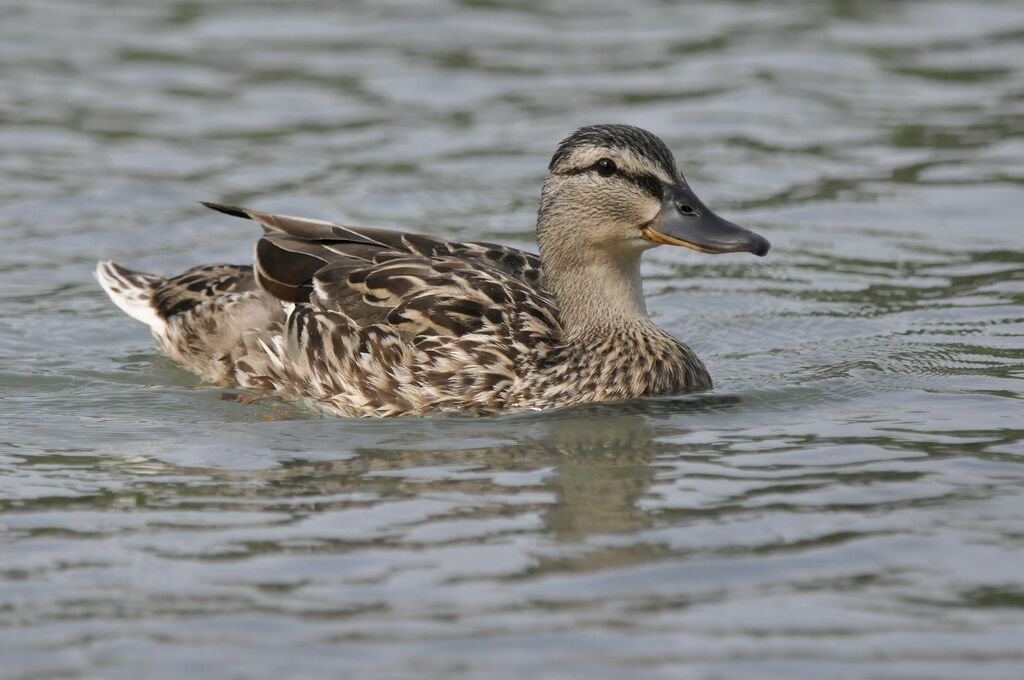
x,y
421,288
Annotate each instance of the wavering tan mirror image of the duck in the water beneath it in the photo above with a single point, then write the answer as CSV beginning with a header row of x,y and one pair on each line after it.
x,y
585,472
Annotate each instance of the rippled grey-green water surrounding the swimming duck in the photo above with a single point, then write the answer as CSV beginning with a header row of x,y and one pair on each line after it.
x,y
847,503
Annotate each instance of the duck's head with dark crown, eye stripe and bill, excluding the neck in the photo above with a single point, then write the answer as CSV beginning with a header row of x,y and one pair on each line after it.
x,y
617,187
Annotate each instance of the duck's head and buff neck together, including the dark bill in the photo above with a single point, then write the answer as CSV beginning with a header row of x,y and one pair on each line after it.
x,y
614,192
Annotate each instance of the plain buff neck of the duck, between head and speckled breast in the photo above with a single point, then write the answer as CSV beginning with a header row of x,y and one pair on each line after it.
x,y
599,289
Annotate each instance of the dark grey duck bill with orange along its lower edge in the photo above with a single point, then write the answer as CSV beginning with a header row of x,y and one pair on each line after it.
x,y
686,221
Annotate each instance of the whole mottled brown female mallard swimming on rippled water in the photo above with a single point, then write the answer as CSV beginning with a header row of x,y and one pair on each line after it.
x,y
378,323
